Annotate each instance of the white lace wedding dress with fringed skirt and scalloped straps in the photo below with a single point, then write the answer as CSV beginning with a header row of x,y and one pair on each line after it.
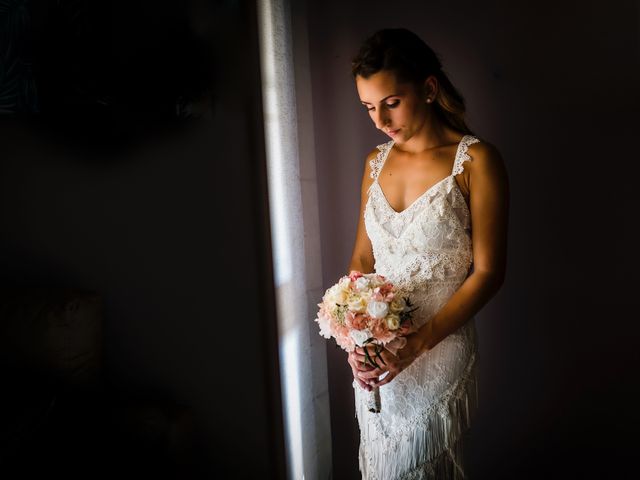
x,y
425,249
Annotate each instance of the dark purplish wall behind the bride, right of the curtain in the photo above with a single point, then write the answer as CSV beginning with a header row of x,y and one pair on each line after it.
x,y
554,86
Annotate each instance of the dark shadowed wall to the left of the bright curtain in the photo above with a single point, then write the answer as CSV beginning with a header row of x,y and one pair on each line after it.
x,y
132,164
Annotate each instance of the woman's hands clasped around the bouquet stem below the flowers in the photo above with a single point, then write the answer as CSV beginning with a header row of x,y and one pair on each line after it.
x,y
393,364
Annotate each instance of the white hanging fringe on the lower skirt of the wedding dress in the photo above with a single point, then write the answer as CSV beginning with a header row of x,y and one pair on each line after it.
x,y
431,450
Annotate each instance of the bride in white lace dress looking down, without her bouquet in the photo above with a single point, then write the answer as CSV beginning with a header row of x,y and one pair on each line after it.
x,y
433,220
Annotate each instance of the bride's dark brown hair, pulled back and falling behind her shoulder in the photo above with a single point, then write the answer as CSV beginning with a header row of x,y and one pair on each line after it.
x,y
406,55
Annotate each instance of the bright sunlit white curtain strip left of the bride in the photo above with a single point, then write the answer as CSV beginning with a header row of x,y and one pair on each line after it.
x,y
305,394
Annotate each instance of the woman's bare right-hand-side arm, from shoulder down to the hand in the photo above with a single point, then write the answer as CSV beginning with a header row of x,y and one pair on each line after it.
x,y
489,205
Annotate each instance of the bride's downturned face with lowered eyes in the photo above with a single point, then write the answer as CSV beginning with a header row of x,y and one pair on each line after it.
x,y
395,108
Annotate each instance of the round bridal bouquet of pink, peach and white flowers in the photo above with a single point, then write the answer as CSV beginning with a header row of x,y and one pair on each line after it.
x,y
366,309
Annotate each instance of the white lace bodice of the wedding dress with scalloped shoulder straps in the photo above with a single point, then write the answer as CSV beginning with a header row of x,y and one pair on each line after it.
x,y
430,239
